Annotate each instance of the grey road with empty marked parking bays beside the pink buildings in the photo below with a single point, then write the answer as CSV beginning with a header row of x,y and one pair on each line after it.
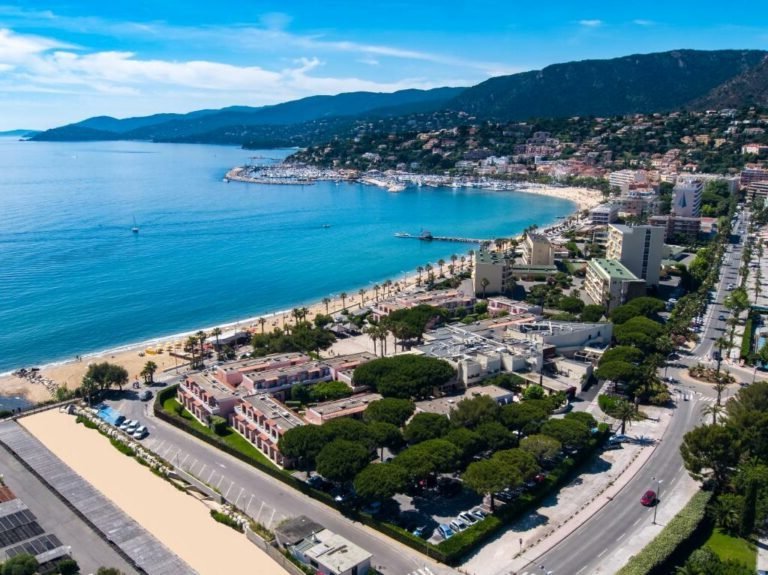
x,y
267,499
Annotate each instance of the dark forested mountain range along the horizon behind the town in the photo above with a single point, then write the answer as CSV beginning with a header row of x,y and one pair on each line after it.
x,y
659,82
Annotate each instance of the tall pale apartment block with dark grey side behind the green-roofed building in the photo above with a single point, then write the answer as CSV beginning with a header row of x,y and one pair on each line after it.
x,y
638,248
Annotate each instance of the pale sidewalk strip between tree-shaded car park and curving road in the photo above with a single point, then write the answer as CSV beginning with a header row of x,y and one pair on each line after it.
x,y
563,513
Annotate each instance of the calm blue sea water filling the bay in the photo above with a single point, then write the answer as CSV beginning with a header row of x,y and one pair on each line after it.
x,y
75,280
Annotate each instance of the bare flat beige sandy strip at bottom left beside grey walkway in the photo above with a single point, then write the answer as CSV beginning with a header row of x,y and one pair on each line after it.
x,y
183,524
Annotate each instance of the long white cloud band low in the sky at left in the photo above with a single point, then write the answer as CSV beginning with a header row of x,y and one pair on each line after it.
x,y
38,65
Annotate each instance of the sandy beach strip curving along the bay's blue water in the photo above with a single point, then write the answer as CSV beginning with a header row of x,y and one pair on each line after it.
x,y
134,358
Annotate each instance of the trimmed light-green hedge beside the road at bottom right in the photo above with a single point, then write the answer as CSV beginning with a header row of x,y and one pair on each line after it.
x,y
656,557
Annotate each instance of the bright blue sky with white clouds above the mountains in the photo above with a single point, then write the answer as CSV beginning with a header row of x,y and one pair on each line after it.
x,y
62,61
